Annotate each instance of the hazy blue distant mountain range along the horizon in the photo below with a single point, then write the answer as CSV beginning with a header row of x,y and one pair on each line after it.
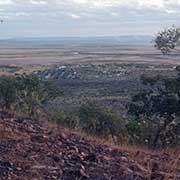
x,y
110,40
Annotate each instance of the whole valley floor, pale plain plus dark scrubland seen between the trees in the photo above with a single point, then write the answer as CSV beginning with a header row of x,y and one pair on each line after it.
x,y
106,73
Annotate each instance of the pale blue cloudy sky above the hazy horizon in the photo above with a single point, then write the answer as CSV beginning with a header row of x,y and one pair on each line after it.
x,y
36,18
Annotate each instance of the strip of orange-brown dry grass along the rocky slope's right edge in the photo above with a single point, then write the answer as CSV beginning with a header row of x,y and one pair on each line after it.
x,y
167,159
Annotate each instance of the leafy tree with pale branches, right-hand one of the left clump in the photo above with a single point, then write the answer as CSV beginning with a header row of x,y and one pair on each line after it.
x,y
33,93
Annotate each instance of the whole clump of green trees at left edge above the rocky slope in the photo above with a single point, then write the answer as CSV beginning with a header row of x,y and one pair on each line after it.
x,y
26,92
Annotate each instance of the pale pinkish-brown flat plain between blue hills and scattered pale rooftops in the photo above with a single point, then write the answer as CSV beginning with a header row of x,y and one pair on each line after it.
x,y
73,54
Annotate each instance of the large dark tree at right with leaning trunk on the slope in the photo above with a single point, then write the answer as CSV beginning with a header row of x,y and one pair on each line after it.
x,y
160,105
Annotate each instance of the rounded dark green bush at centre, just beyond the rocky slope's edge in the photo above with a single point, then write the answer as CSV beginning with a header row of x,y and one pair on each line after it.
x,y
100,120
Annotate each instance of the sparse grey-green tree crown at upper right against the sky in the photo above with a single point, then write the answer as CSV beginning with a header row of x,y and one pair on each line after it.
x,y
168,40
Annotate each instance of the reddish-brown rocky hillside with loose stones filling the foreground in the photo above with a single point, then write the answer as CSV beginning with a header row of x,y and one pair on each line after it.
x,y
31,150
